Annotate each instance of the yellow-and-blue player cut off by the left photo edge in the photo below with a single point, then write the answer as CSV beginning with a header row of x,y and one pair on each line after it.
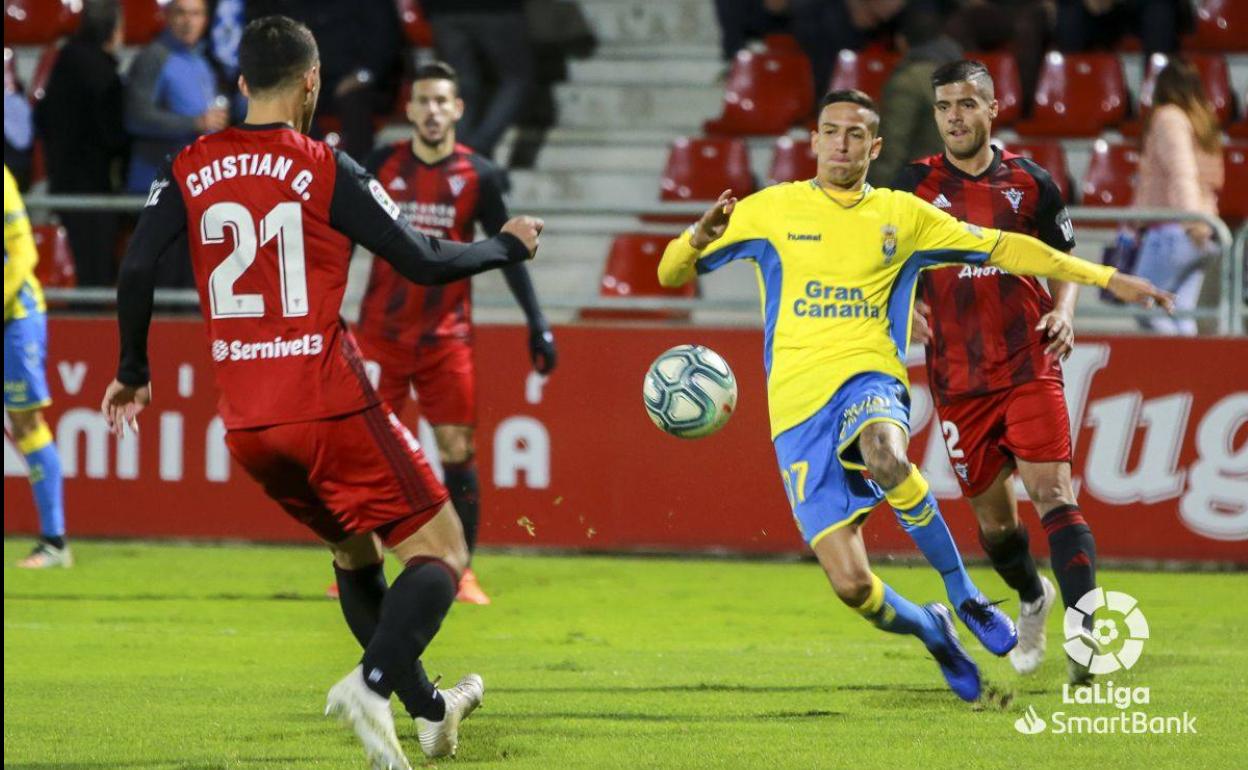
x,y
26,384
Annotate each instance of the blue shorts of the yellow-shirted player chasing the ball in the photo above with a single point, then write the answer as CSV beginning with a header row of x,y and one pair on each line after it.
x,y
821,461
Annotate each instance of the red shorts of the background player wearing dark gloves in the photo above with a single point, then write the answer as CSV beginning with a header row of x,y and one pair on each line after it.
x,y
442,374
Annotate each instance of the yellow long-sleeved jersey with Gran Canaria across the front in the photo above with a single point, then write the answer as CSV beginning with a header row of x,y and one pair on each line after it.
x,y
837,280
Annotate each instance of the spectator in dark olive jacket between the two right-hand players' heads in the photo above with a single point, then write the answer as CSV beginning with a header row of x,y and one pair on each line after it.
x,y
907,114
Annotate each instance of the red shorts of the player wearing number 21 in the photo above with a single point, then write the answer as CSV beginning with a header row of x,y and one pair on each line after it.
x,y
344,476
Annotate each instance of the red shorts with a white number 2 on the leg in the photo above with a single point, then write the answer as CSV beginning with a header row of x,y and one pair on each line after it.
x,y
984,434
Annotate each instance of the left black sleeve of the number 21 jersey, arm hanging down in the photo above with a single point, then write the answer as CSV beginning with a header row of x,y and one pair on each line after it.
x,y
160,235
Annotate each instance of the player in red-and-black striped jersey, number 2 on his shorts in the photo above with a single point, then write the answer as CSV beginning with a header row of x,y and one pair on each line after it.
x,y
995,344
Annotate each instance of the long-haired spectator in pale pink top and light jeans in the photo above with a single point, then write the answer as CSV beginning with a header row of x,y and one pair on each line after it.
x,y
1181,168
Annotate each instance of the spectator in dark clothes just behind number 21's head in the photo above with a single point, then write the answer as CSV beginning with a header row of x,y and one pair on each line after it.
x,y
360,43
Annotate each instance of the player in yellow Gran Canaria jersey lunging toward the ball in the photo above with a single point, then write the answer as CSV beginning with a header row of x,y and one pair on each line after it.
x,y
838,264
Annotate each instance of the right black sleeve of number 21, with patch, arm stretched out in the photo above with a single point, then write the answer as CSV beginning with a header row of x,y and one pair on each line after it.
x,y
363,212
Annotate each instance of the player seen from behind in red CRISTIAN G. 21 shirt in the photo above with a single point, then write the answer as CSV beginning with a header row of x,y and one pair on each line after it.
x,y
268,218
